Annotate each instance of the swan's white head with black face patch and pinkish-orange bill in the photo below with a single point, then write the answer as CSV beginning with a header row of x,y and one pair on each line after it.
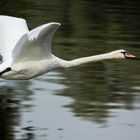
x,y
122,54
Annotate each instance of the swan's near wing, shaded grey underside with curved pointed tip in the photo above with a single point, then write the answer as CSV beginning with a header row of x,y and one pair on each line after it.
x,y
36,44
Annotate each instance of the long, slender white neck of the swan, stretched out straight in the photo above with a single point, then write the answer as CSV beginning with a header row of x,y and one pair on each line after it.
x,y
83,60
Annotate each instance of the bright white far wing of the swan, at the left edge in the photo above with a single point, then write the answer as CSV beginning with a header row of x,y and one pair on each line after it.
x,y
11,30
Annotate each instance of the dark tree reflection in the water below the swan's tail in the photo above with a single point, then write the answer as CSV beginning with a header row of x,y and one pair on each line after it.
x,y
11,96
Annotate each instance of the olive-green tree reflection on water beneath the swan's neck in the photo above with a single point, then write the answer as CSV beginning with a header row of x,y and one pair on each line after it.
x,y
98,91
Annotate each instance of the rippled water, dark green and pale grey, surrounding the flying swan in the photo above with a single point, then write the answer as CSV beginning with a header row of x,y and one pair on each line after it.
x,y
106,94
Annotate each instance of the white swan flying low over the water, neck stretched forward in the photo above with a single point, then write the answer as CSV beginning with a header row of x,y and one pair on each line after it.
x,y
27,54
